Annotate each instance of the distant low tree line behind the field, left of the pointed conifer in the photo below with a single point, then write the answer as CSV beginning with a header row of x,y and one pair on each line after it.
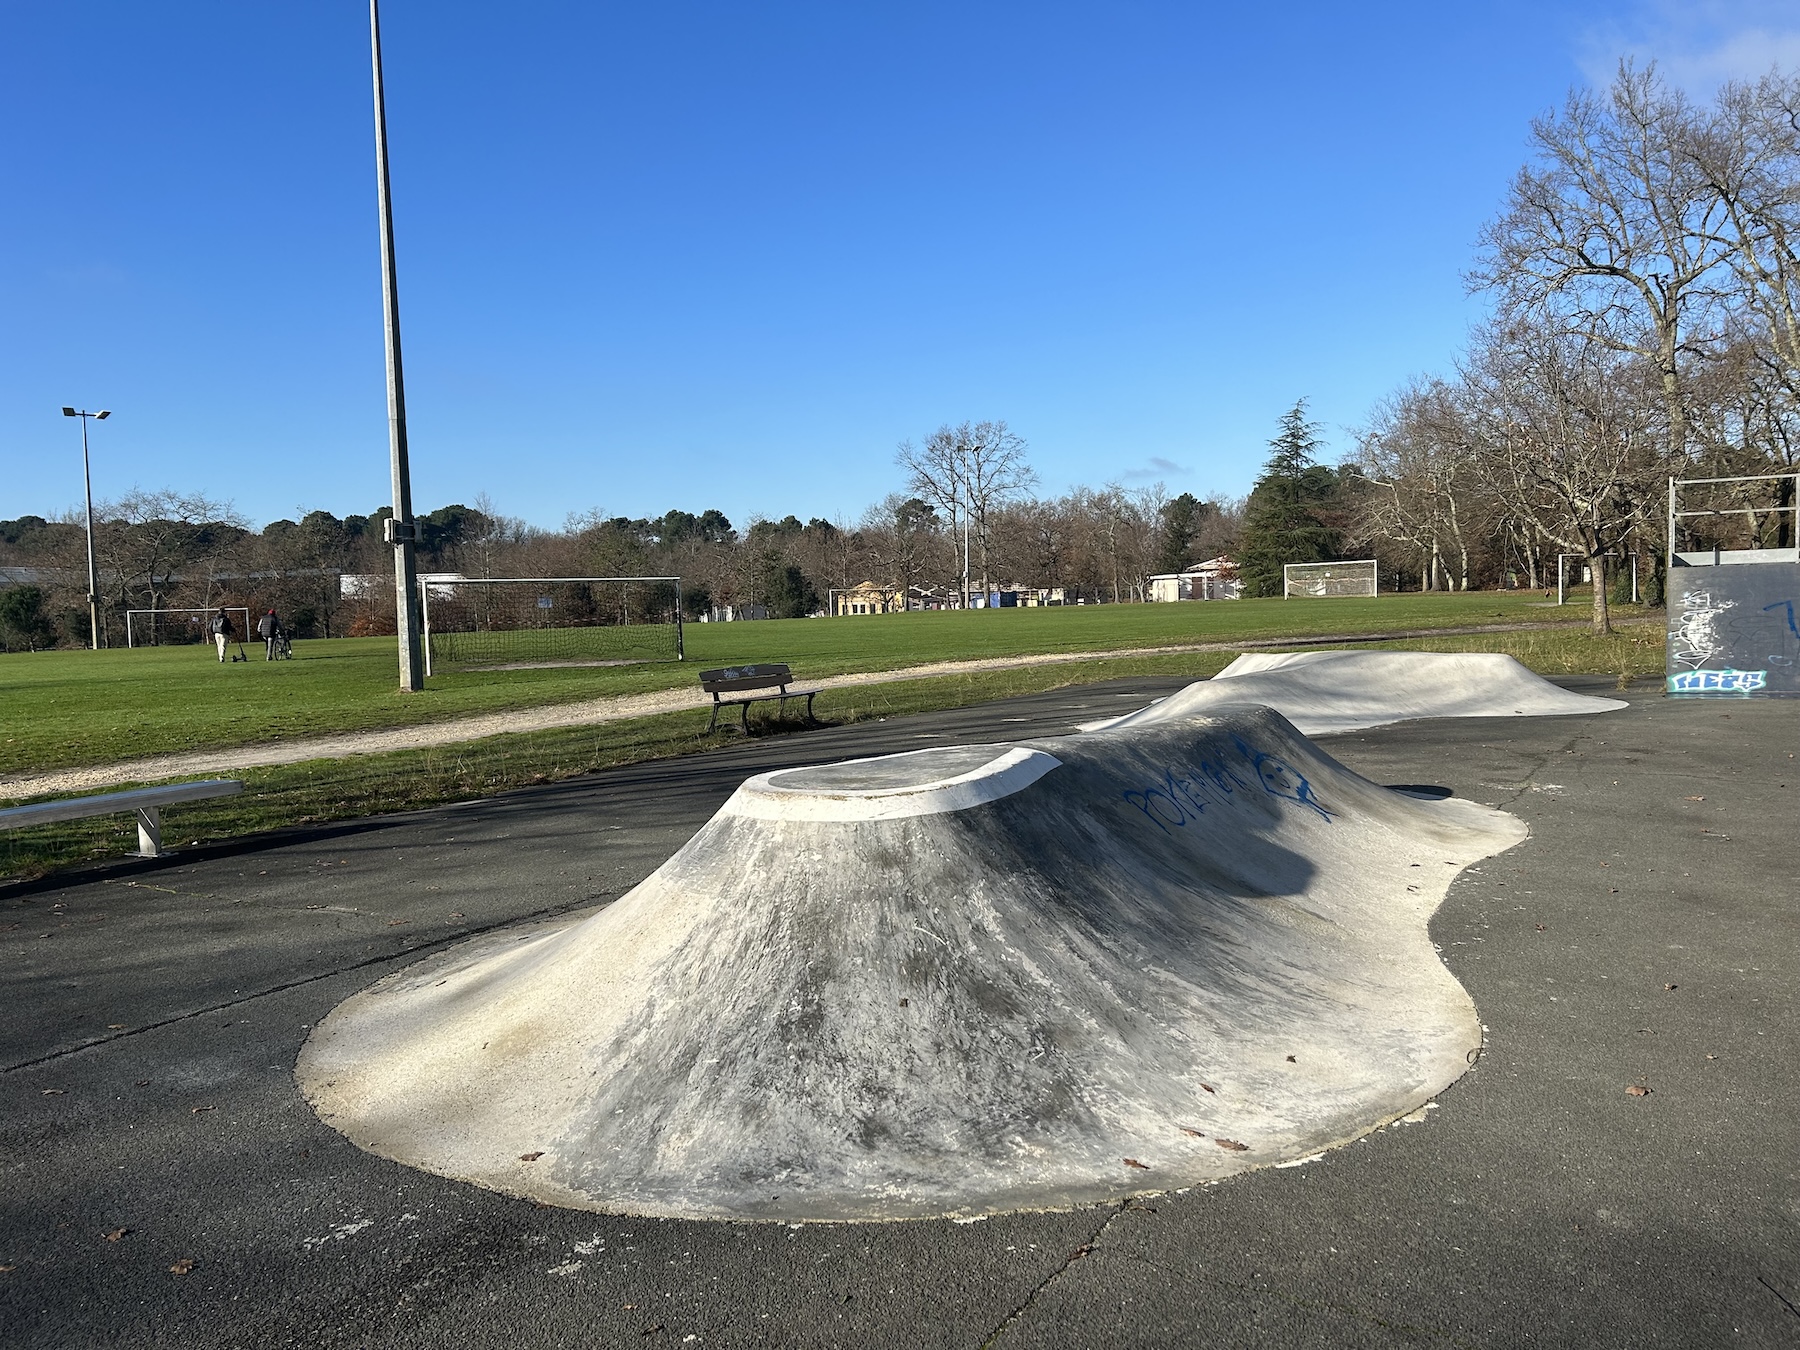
x,y
170,552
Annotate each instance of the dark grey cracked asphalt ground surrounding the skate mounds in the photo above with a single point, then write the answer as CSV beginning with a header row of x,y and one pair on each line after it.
x,y
165,1183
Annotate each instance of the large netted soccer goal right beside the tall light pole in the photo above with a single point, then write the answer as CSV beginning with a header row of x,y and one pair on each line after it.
x,y
550,620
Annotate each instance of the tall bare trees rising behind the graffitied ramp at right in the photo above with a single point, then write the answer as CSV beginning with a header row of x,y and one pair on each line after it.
x,y
1644,274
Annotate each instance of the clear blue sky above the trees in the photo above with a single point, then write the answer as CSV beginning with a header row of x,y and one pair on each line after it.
x,y
723,255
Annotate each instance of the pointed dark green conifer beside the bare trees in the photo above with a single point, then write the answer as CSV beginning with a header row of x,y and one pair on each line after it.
x,y
1290,508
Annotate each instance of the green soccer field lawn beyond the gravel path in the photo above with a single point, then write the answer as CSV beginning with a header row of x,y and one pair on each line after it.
x,y
82,708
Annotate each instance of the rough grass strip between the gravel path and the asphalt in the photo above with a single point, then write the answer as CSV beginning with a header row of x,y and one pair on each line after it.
x,y
325,791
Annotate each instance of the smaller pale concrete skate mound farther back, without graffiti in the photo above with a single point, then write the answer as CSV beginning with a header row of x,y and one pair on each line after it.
x,y
1326,692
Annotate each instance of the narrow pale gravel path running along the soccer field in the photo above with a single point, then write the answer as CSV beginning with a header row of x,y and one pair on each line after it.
x,y
595,712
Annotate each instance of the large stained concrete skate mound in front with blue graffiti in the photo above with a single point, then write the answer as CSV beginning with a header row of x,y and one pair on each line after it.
x,y
948,984
